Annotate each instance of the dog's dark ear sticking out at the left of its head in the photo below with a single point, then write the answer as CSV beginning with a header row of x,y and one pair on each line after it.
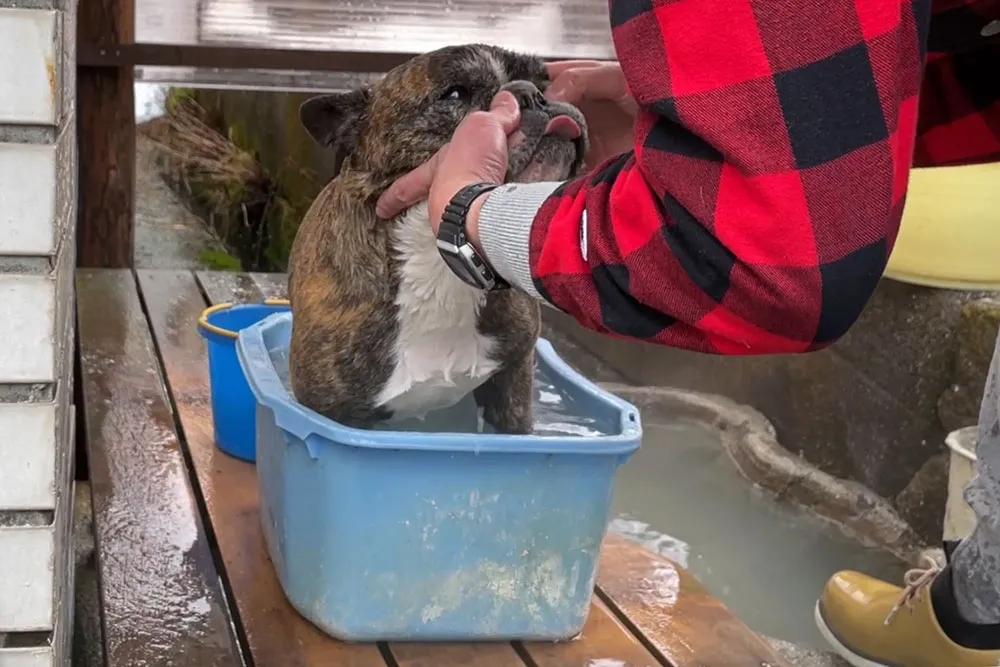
x,y
335,121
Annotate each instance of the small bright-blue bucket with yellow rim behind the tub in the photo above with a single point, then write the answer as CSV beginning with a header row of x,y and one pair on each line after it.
x,y
233,404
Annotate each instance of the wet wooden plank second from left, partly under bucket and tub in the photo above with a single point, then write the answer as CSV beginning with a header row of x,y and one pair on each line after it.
x,y
277,635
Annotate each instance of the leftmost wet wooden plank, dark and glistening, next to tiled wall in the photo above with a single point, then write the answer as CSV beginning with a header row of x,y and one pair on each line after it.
x,y
160,594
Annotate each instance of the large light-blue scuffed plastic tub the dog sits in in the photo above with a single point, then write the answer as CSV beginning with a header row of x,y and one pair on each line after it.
x,y
392,535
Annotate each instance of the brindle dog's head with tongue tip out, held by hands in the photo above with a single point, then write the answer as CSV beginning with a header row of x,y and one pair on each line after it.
x,y
384,130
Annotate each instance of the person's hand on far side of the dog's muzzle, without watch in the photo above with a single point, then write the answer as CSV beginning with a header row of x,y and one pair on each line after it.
x,y
599,90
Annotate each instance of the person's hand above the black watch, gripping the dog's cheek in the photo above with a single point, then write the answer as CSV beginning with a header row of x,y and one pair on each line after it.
x,y
477,153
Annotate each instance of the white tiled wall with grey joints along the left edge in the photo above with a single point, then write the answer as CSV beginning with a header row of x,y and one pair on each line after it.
x,y
37,219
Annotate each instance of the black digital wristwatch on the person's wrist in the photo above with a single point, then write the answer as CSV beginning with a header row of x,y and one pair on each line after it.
x,y
453,243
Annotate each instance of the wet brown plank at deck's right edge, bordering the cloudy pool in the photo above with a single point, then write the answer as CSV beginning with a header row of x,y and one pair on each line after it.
x,y
676,615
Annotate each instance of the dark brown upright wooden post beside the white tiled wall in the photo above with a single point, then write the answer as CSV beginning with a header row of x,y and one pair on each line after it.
x,y
106,130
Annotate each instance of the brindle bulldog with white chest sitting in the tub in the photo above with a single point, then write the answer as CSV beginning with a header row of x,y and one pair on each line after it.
x,y
382,328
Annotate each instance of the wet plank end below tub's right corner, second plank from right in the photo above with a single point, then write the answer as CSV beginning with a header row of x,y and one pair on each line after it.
x,y
604,642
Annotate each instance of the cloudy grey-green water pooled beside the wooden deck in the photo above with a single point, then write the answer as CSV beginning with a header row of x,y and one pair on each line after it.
x,y
681,495
